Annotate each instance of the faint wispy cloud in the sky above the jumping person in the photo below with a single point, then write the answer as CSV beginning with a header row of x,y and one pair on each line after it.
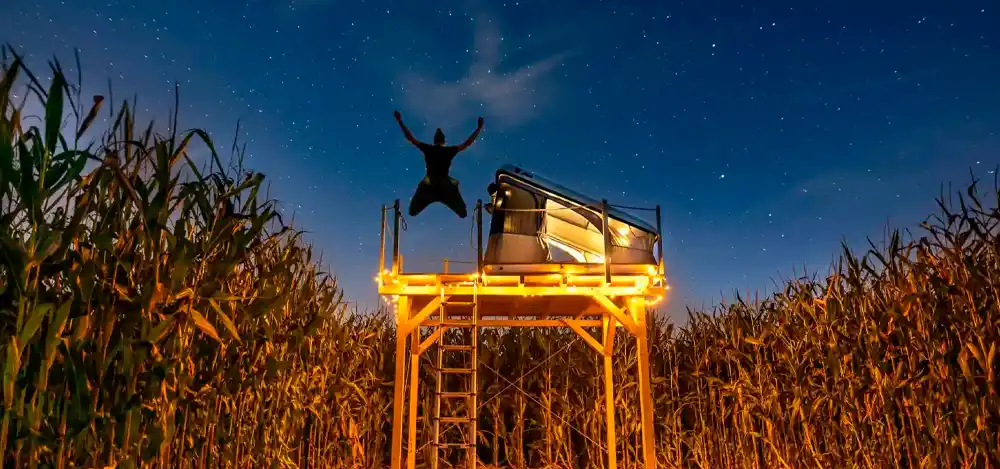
x,y
507,99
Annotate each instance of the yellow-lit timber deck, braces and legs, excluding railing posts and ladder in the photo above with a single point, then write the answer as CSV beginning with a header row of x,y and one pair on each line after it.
x,y
573,296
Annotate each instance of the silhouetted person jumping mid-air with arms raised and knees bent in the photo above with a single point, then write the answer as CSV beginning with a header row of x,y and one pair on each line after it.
x,y
438,185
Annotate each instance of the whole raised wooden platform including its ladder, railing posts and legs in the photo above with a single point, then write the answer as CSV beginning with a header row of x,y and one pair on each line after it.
x,y
602,295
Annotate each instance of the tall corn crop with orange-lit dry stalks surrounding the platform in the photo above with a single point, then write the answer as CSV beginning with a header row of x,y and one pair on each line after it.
x,y
154,313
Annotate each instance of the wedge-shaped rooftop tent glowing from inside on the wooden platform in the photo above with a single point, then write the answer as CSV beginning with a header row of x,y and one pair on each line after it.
x,y
532,214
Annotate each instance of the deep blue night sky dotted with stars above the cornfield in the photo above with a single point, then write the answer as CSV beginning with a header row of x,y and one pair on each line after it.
x,y
768,131
